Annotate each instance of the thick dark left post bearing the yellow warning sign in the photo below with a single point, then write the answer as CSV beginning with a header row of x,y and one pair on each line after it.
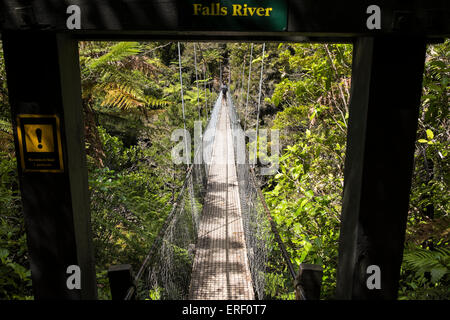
x,y
45,93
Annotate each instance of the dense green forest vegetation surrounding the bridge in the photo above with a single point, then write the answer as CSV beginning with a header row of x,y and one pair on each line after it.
x,y
132,103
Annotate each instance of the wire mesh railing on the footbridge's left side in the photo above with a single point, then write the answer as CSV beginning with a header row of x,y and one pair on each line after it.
x,y
166,271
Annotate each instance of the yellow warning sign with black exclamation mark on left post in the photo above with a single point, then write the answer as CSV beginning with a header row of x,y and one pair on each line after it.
x,y
40,143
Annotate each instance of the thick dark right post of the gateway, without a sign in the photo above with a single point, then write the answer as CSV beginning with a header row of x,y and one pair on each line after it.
x,y
384,108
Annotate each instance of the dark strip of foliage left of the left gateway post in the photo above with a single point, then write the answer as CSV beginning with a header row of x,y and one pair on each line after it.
x,y
15,277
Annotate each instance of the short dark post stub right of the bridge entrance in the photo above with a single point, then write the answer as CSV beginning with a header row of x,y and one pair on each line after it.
x,y
308,282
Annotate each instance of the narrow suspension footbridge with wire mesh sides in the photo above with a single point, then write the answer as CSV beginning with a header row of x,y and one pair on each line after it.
x,y
216,241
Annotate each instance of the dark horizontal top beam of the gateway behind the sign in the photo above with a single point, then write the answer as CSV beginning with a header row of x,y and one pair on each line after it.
x,y
158,17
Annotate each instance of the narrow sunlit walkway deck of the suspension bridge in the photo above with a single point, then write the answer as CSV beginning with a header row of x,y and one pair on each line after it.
x,y
221,270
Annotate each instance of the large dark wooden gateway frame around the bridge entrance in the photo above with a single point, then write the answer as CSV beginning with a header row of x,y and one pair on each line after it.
x,y
376,193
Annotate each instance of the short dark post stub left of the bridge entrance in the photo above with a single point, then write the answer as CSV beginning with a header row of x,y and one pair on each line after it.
x,y
121,279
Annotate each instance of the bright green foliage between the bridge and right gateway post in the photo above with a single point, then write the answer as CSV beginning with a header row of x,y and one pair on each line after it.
x,y
305,195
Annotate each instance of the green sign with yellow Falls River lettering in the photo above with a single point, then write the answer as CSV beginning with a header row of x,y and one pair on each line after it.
x,y
234,15
